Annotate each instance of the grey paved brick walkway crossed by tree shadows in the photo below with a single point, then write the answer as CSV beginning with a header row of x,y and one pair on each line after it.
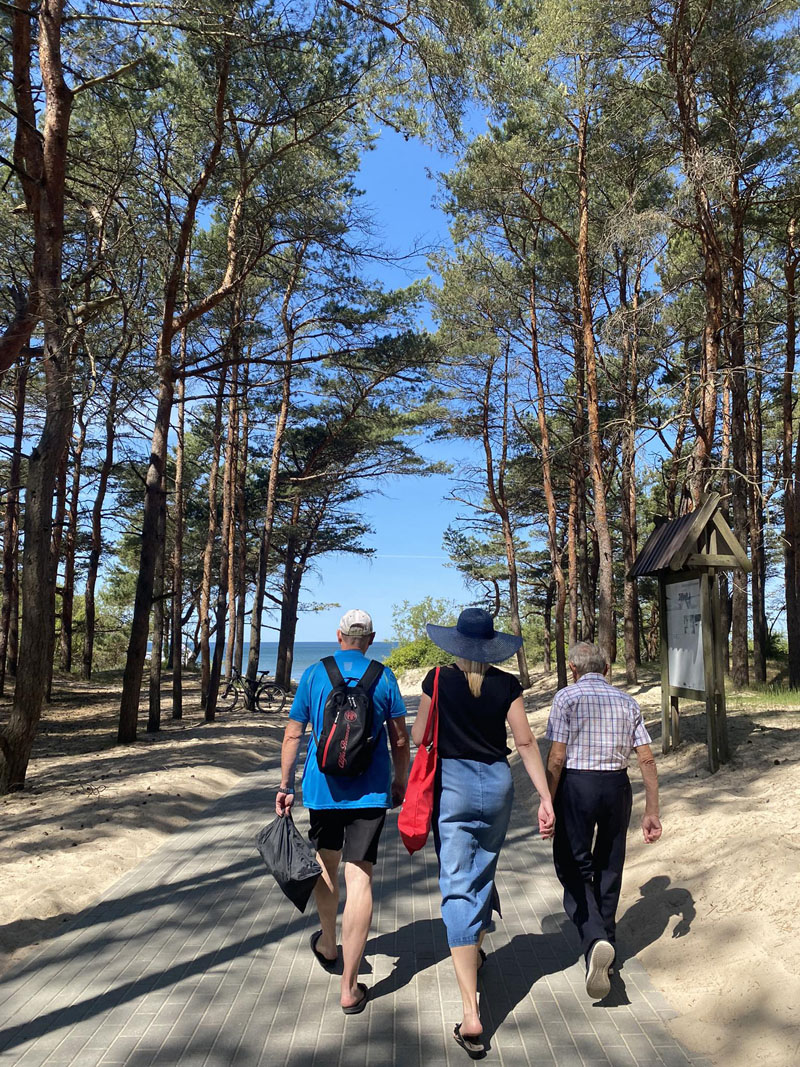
x,y
197,959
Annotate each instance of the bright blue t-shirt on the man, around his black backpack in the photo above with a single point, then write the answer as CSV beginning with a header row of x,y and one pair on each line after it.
x,y
374,788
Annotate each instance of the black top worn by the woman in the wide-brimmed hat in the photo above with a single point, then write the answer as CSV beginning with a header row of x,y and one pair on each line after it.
x,y
473,728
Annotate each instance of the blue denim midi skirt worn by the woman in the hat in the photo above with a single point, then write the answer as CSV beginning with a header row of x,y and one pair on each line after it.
x,y
474,807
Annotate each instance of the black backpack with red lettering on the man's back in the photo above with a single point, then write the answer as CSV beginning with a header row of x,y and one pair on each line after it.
x,y
345,745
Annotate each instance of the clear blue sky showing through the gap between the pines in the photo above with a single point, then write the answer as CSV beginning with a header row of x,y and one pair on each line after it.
x,y
412,514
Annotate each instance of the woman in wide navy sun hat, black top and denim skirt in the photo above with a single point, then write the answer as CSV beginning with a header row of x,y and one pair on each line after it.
x,y
475,791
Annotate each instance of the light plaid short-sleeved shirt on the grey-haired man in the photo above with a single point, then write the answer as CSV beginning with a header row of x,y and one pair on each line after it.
x,y
599,724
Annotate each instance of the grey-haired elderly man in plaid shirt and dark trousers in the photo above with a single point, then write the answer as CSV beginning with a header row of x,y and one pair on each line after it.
x,y
594,729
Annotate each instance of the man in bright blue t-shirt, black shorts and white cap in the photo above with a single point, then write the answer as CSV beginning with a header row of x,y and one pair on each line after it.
x,y
347,815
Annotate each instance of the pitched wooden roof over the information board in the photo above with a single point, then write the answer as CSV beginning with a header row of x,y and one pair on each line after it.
x,y
680,545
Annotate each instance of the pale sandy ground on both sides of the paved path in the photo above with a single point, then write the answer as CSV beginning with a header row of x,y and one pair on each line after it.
x,y
711,910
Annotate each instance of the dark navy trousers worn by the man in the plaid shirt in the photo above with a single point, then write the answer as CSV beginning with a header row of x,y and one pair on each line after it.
x,y
593,816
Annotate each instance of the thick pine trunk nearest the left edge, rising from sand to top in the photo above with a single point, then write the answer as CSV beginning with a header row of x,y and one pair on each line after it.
x,y
42,158
